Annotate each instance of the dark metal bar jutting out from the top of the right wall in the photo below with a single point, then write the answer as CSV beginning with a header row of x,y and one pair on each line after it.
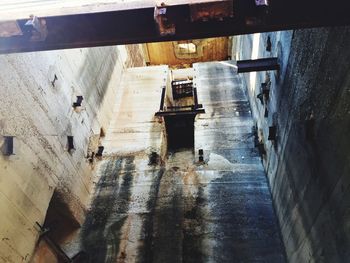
x,y
263,64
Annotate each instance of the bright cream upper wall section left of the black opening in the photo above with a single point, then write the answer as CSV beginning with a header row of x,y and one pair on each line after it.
x,y
134,127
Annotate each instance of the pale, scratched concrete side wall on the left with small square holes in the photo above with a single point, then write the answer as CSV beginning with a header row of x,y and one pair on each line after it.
x,y
37,91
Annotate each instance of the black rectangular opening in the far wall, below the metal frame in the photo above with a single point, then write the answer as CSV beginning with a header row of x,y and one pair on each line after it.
x,y
180,131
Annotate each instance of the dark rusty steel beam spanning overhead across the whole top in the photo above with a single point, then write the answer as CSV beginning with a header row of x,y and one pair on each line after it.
x,y
139,25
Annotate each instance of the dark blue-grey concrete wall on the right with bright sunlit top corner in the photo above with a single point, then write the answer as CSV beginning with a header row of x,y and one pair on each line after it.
x,y
308,164
